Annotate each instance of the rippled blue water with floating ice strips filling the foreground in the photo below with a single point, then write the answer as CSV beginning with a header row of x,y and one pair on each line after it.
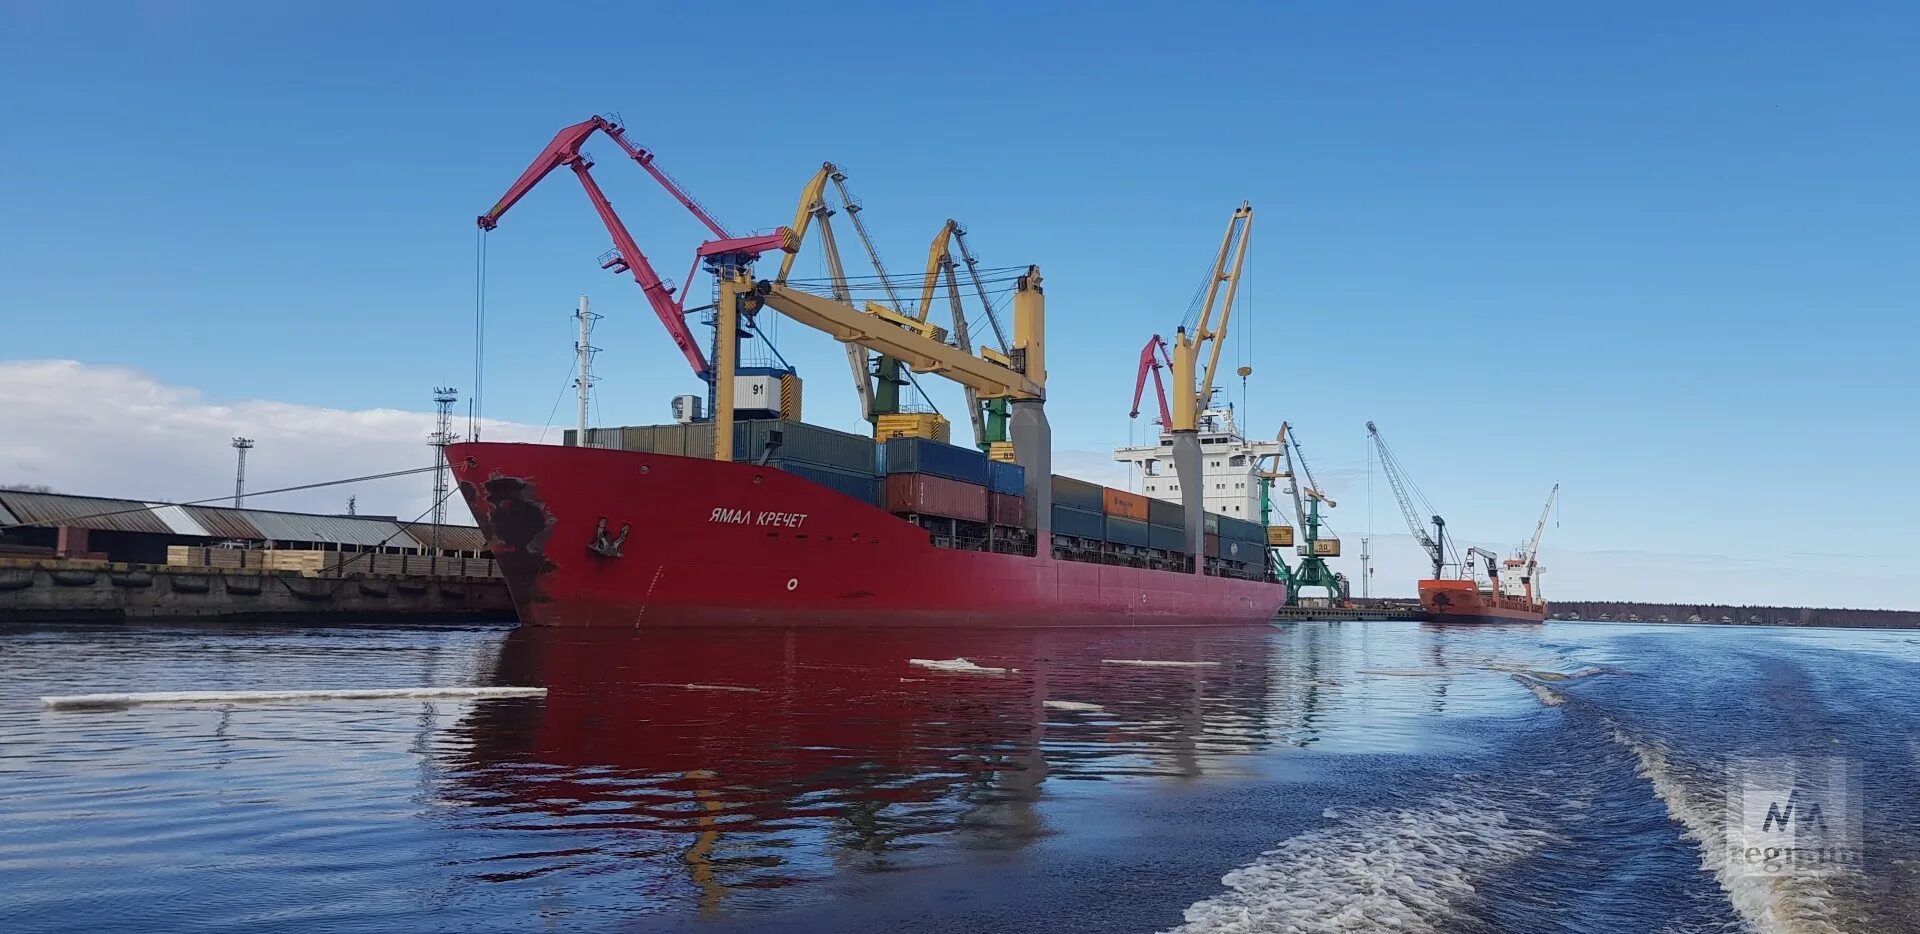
x,y
1303,777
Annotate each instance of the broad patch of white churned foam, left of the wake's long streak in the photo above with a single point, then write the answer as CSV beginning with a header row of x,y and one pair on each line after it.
x,y
1376,870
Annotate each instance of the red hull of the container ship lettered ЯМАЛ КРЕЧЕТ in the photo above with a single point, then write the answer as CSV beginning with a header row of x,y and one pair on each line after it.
x,y
706,543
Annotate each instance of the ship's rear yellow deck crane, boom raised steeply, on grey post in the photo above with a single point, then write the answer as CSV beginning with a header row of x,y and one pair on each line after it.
x,y
1193,385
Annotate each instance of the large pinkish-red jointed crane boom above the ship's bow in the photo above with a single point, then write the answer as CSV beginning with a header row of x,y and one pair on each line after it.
x,y
627,257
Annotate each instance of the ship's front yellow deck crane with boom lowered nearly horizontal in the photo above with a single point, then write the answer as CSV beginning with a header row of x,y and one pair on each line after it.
x,y
1020,378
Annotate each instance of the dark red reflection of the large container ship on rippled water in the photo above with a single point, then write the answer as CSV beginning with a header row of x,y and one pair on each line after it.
x,y
763,758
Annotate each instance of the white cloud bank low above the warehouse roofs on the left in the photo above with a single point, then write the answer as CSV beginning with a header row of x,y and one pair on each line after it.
x,y
110,431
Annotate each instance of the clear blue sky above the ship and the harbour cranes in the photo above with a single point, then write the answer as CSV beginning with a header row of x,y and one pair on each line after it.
x,y
1664,255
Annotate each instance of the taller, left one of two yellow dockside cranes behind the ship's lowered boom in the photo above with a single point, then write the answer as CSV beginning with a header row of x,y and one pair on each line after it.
x,y
878,387
